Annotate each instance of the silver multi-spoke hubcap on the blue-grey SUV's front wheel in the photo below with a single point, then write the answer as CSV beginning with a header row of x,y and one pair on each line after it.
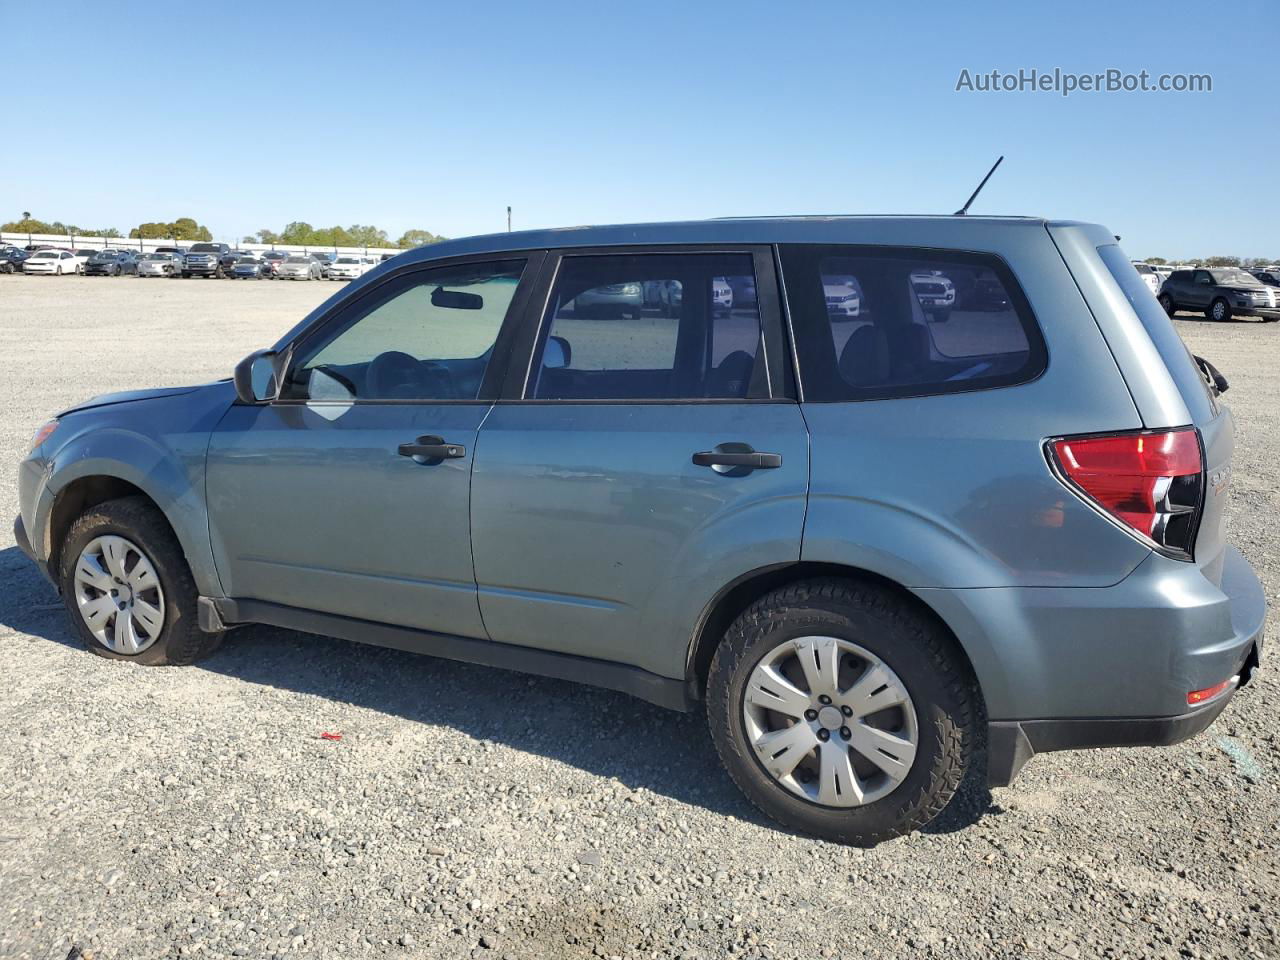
x,y
118,595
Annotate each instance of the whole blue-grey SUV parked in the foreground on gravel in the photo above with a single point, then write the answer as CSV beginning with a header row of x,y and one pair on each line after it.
x,y
863,542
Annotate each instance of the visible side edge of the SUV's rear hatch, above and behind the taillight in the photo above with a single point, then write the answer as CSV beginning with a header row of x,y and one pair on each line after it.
x,y
1171,387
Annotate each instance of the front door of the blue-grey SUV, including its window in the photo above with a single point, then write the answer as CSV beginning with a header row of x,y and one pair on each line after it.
x,y
350,493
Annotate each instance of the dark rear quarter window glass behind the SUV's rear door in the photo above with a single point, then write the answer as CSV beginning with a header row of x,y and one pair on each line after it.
x,y
875,323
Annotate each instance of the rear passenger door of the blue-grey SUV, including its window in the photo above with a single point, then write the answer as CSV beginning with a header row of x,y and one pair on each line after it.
x,y
646,455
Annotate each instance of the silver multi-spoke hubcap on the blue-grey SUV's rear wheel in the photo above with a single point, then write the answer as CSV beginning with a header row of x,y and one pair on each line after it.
x,y
830,721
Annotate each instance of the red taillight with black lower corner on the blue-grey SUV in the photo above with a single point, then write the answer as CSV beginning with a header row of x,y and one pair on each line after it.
x,y
1151,482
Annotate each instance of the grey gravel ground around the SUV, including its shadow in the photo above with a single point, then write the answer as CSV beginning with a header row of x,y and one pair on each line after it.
x,y
467,812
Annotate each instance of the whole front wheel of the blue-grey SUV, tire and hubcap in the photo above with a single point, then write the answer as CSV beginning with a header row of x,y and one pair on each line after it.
x,y
129,589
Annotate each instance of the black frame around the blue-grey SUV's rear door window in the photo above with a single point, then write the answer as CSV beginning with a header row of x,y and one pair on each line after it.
x,y
527,345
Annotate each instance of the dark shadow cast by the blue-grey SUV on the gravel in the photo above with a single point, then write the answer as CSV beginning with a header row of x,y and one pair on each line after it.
x,y
600,732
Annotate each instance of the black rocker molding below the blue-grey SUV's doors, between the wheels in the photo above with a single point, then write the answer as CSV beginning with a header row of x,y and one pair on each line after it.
x,y
664,692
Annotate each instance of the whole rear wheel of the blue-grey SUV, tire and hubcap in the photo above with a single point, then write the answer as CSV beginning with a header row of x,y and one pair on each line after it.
x,y
900,698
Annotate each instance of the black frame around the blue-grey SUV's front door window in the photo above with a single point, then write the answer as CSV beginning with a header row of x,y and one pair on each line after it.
x,y
406,278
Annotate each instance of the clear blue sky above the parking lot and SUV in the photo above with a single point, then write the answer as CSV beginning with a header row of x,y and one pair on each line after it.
x,y
438,116
